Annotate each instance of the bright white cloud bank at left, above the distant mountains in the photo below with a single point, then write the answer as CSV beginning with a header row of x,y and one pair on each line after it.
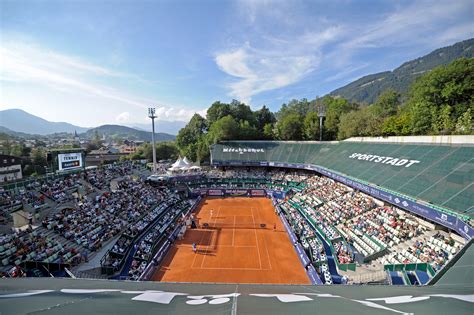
x,y
24,63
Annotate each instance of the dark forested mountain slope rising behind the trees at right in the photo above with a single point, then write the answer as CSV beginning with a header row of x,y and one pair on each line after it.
x,y
368,88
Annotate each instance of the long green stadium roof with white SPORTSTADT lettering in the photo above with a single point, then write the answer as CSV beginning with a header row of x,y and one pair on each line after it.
x,y
442,175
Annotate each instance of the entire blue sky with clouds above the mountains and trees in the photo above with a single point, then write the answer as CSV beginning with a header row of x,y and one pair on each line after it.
x,y
97,62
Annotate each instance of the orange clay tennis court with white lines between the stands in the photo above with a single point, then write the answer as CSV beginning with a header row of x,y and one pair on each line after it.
x,y
234,248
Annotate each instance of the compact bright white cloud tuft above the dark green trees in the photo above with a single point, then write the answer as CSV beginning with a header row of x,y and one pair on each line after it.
x,y
276,64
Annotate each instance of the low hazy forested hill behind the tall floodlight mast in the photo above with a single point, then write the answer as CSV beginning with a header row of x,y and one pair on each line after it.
x,y
122,132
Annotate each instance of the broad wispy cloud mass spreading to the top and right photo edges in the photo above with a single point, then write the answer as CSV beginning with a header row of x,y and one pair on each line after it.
x,y
269,58
